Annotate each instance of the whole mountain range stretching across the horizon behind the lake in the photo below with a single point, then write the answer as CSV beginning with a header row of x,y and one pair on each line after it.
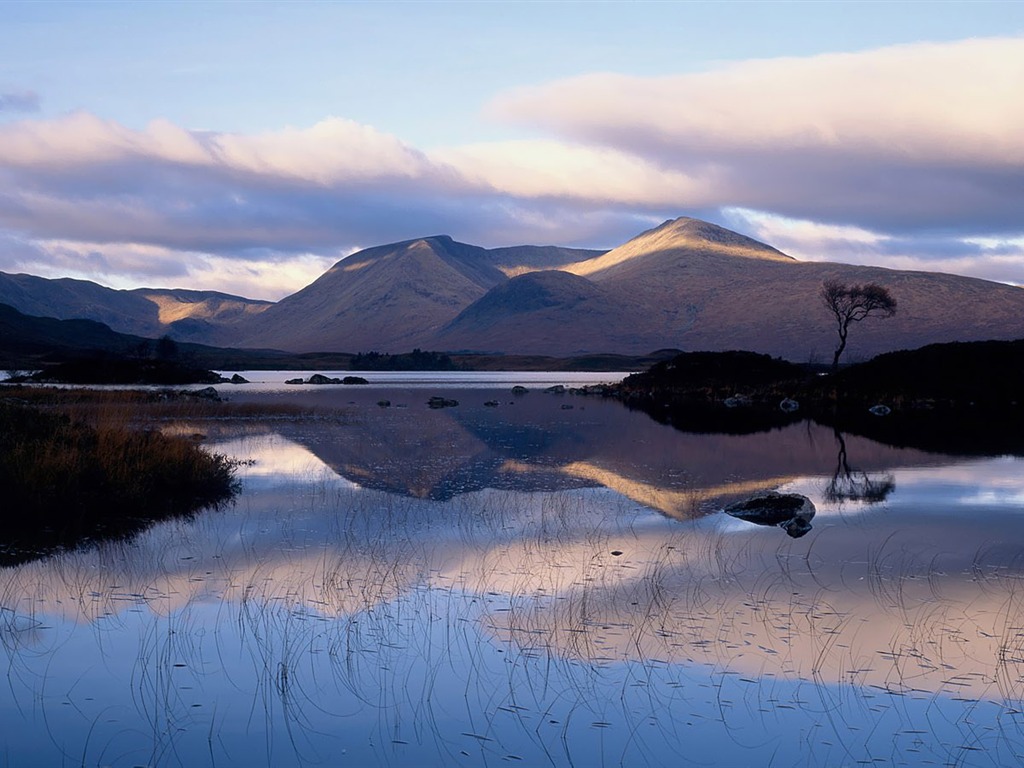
x,y
687,284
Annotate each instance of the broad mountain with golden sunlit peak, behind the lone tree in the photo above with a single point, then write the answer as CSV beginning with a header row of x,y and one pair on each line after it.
x,y
695,286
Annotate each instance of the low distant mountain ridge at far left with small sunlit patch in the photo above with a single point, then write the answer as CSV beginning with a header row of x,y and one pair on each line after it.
x,y
184,315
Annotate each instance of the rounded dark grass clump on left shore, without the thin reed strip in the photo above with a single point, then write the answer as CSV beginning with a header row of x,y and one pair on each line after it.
x,y
68,482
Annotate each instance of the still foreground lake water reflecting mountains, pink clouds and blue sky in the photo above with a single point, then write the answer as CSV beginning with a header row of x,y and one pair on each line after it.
x,y
533,584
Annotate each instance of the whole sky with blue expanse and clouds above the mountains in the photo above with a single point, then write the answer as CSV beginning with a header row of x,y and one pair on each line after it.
x,y
247,147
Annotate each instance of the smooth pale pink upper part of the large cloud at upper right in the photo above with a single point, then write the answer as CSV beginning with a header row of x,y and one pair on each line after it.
x,y
959,101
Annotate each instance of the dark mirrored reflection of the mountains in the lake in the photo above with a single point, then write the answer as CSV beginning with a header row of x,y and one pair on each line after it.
x,y
531,443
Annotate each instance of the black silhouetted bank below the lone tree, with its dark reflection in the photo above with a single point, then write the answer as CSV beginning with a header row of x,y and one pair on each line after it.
x,y
958,398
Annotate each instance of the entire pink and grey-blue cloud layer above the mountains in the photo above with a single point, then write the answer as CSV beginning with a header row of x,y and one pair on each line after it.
x,y
910,156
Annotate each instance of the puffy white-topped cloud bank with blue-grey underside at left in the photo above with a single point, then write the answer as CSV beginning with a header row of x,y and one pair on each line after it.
x,y
80,178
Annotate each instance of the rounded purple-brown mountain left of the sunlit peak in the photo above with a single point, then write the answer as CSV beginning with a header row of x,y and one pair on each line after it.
x,y
394,298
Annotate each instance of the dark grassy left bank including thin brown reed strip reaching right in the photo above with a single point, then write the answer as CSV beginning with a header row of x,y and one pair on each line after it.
x,y
83,465
